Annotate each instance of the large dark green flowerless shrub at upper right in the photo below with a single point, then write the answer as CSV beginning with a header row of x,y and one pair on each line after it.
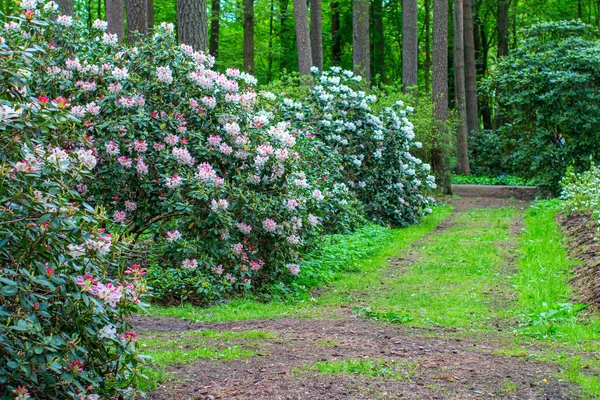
x,y
547,95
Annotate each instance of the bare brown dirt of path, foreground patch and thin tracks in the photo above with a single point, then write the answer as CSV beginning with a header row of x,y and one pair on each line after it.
x,y
407,363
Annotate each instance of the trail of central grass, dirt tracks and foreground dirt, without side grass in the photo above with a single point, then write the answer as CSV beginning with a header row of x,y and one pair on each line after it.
x,y
451,291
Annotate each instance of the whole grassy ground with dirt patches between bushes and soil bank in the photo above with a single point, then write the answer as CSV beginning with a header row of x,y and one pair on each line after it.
x,y
453,308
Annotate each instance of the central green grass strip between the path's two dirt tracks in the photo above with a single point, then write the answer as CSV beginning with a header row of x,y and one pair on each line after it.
x,y
454,282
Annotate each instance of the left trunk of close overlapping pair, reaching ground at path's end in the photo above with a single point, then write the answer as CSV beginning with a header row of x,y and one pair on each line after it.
x,y
462,134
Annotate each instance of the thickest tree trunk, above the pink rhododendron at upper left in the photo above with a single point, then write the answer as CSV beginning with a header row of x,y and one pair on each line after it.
x,y
192,24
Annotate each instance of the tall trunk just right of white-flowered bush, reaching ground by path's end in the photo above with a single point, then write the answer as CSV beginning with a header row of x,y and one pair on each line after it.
x,y
440,157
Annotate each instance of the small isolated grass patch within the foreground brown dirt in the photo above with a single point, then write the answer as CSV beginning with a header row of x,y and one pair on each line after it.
x,y
388,369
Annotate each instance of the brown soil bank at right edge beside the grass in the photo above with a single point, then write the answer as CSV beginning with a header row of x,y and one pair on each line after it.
x,y
583,239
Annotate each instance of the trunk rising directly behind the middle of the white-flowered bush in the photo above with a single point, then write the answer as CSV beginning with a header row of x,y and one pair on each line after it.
x,y
361,40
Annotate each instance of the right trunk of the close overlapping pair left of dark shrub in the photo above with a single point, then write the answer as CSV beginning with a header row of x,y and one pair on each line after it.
x,y
470,69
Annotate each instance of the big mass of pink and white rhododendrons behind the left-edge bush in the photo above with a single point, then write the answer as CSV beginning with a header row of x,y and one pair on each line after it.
x,y
222,186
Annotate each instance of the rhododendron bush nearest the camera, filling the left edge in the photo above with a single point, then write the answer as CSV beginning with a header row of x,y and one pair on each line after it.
x,y
63,297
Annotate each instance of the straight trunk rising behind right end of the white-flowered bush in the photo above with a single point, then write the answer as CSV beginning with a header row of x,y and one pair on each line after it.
x,y
410,44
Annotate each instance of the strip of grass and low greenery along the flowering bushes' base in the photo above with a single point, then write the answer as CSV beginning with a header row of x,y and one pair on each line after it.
x,y
341,260
